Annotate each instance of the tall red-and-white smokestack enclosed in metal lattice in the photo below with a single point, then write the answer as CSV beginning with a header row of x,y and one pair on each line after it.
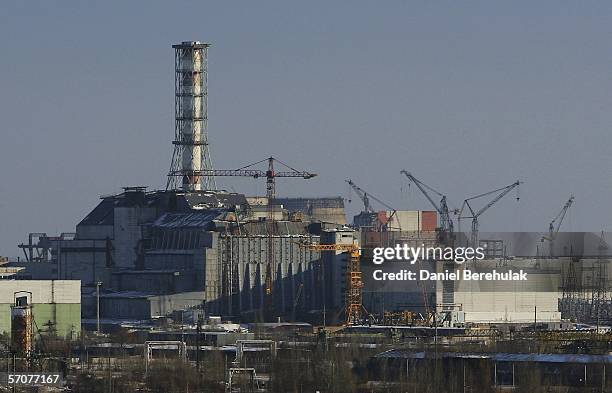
x,y
191,162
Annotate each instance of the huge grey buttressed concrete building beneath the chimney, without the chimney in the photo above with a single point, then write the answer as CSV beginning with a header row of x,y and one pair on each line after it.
x,y
158,252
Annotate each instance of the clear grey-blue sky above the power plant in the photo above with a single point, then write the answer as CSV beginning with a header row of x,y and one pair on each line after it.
x,y
468,96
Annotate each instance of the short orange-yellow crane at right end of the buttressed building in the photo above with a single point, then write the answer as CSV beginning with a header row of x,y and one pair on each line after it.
x,y
354,310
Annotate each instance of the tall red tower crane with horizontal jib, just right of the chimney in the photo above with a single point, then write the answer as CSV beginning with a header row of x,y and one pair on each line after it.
x,y
270,175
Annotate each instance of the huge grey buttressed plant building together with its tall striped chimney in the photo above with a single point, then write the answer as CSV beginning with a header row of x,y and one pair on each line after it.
x,y
149,253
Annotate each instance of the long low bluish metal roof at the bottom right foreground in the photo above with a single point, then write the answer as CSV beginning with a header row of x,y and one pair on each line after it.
x,y
502,357
